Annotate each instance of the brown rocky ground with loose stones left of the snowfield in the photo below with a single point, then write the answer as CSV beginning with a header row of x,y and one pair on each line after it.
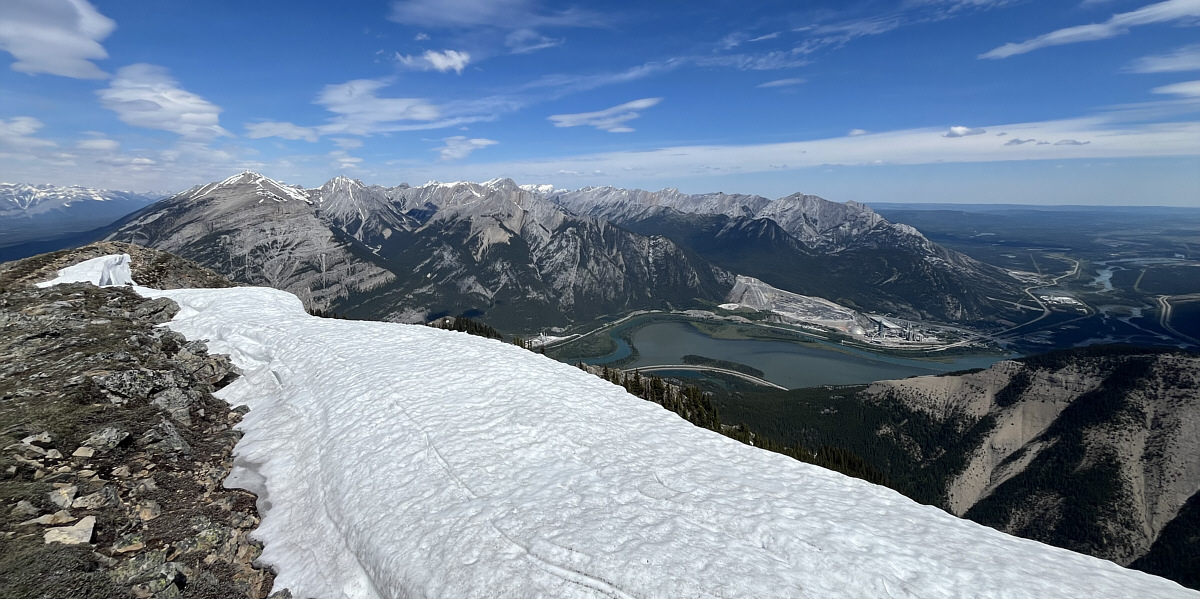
x,y
115,447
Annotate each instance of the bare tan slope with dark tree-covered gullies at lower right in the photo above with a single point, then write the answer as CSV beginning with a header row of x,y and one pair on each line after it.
x,y
1095,451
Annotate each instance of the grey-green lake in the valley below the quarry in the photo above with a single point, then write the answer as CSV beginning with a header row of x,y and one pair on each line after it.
x,y
788,364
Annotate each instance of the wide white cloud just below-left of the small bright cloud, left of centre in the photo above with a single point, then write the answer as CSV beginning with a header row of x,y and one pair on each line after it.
x,y
361,111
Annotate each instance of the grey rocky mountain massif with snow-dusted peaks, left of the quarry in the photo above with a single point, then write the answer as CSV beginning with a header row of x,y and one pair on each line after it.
x,y
411,254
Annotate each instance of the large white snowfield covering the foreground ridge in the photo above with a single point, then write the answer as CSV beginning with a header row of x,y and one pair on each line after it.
x,y
407,462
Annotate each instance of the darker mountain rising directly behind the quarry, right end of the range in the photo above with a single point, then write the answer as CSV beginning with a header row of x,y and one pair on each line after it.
x,y
809,245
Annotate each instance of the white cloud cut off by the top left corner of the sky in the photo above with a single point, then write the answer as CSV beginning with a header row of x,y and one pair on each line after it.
x,y
55,37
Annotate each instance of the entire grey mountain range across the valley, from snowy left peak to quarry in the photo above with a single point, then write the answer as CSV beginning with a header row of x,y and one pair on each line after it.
x,y
531,257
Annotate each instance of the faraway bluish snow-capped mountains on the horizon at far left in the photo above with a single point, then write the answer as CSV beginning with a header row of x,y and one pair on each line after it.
x,y
41,212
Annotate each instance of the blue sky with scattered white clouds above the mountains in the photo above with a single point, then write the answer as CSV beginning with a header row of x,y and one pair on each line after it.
x,y
1013,101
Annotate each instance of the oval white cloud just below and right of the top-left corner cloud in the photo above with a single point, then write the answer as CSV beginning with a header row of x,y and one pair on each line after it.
x,y
146,97
